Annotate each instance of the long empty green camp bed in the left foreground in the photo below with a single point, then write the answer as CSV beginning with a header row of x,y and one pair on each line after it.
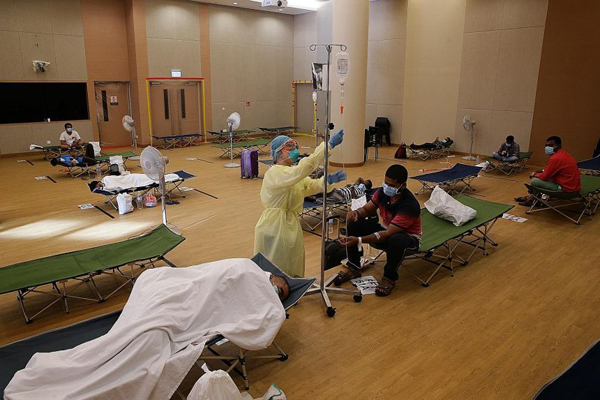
x,y
83,265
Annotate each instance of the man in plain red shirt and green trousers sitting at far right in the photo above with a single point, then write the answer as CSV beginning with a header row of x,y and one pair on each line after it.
x,y
560,174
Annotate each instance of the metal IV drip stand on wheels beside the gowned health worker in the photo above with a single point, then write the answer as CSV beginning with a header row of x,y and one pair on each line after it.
x,y
323,287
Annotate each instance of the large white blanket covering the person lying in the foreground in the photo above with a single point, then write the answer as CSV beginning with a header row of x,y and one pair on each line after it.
x,y
169,316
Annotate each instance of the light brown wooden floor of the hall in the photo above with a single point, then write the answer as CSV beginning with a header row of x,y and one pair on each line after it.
x,y
499,329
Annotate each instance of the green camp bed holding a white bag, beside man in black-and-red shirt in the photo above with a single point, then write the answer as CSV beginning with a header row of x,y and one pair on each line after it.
x,y
441,239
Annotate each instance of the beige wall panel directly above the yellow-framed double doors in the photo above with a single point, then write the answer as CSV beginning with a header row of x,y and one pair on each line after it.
x,y
173,31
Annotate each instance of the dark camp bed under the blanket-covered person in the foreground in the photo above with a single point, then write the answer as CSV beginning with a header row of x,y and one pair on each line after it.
x,y
15,356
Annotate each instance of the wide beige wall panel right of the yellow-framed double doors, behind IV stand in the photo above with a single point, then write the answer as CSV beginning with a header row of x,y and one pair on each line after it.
x,y
251,60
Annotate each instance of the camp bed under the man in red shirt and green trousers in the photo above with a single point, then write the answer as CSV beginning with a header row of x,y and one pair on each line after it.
x,y
587,199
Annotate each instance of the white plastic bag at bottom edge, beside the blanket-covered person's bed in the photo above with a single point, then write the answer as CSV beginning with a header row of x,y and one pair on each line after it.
x,y
214,385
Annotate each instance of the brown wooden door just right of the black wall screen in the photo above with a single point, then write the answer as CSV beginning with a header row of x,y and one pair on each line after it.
x,y
112,104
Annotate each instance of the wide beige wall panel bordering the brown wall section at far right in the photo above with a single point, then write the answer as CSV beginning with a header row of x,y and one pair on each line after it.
x,y
499,71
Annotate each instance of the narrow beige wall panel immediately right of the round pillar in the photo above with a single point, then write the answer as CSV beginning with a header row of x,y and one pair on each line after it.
x,y
385,71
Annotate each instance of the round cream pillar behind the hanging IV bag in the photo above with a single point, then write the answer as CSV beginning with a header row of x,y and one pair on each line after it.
x,y
350,27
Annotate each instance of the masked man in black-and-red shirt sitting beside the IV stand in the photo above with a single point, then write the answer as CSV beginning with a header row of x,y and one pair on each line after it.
x,y
399,231
